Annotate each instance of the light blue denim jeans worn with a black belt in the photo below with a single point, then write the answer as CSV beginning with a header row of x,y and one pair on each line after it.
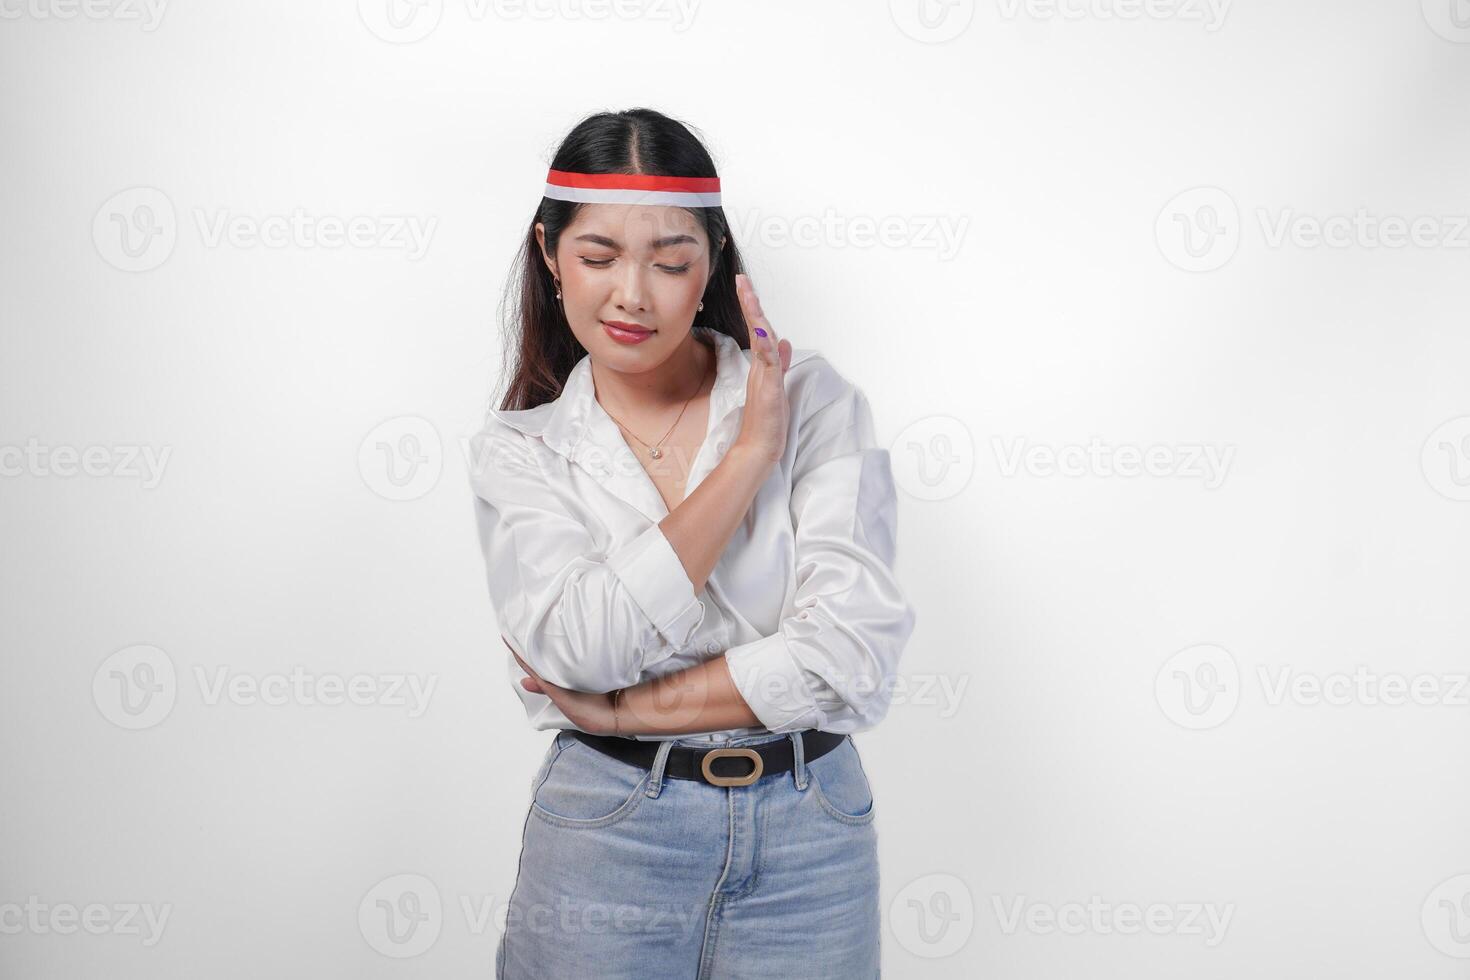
x,y
625,873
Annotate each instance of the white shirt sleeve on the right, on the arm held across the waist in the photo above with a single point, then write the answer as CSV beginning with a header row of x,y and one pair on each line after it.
x,y
833,663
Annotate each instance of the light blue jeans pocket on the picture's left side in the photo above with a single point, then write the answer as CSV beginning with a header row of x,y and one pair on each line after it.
x,y
584,788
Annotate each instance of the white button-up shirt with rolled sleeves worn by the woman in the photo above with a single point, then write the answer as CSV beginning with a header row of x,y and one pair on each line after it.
x,y
803,602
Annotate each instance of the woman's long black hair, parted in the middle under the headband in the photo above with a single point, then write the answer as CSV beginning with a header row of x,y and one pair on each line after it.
x,y
540,346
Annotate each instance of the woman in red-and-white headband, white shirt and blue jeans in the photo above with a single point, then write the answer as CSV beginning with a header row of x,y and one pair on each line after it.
x,y
690,537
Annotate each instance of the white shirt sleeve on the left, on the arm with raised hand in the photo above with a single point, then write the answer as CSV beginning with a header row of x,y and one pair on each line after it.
x,y
583,619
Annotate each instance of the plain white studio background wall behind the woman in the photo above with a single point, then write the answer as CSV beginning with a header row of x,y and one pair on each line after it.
x,y
1096,293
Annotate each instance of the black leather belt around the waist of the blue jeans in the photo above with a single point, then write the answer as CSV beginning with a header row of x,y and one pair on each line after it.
x,y
717,766
